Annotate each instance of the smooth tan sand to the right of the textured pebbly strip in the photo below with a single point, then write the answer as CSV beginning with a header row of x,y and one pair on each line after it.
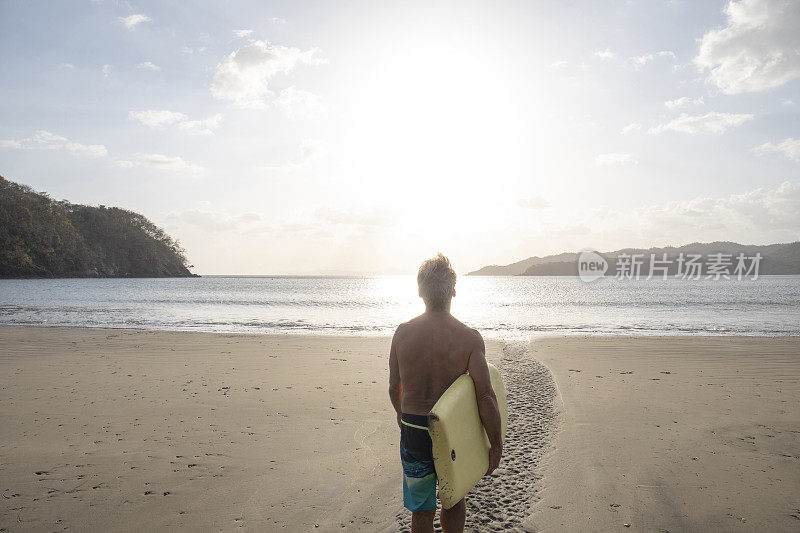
x,y
673,434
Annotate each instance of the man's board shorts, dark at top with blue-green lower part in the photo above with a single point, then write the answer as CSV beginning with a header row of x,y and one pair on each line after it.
x,y
416,455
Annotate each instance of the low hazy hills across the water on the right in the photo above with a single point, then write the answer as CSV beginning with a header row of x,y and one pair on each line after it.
x,y
776,259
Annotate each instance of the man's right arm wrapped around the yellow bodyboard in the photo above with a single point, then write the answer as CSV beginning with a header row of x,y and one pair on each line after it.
x,y
487,402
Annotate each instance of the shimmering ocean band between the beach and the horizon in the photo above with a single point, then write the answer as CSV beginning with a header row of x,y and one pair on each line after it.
x,y
499,307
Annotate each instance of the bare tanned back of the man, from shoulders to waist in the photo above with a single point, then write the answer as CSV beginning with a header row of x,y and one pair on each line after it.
x,y
432,351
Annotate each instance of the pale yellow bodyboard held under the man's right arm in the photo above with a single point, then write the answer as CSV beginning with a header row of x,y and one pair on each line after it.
x,y
460,444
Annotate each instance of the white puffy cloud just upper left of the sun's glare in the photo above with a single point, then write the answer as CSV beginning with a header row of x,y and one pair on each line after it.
x,y
243,76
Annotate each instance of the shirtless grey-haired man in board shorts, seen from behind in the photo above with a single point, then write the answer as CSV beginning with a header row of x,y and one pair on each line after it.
x,y
428,353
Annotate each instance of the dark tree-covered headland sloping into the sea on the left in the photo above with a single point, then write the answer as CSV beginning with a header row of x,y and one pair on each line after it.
x,y
44,238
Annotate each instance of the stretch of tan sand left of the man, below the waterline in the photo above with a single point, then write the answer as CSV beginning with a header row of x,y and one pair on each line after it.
x,y
133,430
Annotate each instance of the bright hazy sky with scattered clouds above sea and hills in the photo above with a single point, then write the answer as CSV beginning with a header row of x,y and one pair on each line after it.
x,y
363,137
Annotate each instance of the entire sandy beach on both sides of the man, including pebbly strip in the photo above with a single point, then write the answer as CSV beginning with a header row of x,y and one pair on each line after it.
x,y
141,430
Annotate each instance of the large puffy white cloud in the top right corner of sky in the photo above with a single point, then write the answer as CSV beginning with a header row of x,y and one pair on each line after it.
x,y
759,49
